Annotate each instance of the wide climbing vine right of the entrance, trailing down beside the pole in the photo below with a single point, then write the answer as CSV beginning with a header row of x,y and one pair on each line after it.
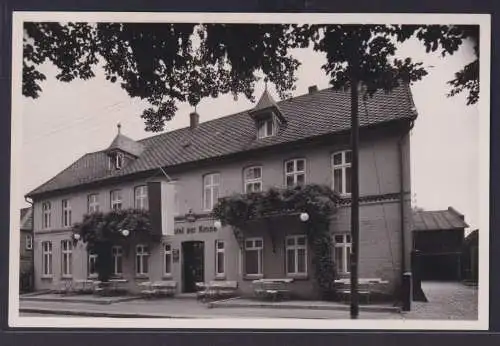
x,y
318,201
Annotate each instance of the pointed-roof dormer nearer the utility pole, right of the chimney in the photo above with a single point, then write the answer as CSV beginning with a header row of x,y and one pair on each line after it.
x,y
267,116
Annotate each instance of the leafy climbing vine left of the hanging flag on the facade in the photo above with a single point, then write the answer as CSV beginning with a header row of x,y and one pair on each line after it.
x,y
101,231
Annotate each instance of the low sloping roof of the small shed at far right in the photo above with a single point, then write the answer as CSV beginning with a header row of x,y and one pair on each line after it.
x,y
438,220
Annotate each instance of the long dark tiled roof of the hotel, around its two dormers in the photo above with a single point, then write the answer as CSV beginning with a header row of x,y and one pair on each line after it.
x,y
307,116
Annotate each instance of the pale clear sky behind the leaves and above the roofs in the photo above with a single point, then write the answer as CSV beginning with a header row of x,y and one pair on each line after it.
x,y
71,119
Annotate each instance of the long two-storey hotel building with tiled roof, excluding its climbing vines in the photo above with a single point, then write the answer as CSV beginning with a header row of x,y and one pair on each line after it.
x,y
302,140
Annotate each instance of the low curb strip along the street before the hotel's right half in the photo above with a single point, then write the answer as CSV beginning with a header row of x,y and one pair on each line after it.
x,y
233,304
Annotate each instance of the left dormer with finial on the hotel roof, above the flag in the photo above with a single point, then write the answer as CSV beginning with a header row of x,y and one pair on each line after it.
x,y
122,150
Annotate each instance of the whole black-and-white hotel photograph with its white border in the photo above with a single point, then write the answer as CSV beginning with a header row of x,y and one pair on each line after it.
x,y
284,171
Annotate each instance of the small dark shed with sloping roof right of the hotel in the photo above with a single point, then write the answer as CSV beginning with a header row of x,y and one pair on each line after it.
x,y
438,238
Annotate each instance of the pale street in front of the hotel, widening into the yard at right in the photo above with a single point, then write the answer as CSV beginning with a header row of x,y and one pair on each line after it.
x,y
446,301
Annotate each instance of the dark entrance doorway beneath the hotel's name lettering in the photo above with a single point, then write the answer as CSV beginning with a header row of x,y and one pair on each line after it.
x,y
193,255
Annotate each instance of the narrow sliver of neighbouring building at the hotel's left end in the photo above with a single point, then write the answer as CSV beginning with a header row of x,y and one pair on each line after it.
x,y
26,250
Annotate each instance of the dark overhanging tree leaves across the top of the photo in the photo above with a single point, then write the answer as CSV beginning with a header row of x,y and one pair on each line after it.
x,y
166,63
